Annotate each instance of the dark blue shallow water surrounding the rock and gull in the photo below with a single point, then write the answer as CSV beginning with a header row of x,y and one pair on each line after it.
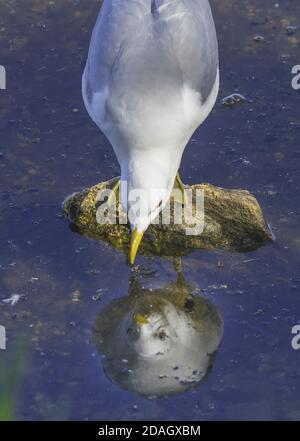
x,y
53,367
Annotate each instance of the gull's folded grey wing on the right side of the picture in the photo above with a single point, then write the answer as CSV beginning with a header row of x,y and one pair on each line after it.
x,y
191,26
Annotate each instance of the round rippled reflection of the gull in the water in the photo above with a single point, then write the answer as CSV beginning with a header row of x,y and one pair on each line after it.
x,y
159,342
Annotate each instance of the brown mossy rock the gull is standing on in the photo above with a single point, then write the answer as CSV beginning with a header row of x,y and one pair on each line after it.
x,y
233,220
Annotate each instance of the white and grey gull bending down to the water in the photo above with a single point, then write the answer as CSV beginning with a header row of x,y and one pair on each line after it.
x,y
151,78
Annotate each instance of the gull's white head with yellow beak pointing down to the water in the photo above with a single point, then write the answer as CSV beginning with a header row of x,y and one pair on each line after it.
x,y
149,186
